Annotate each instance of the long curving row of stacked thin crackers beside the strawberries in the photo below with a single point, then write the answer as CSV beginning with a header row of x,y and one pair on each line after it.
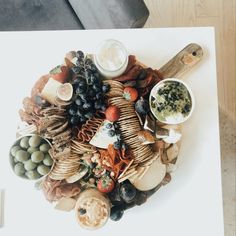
x,y
130,126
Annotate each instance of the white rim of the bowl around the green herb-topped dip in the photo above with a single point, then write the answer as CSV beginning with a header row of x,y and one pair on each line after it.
x,y
172,121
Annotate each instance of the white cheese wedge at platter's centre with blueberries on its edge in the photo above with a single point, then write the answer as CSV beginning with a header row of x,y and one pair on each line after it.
x,y
101,139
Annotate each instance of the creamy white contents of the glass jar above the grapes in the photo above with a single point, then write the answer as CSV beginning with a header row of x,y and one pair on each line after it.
x,y
111,56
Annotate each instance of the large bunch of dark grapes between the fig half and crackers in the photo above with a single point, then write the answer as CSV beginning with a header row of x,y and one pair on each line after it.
x,y
88,91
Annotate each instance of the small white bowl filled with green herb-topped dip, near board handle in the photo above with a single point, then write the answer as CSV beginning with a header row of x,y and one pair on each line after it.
x,y
163,105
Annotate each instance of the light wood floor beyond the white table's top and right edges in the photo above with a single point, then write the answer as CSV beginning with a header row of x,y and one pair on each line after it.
x,y
218,13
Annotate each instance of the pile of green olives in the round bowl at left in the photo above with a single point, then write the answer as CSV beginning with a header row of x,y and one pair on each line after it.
x,y
30,158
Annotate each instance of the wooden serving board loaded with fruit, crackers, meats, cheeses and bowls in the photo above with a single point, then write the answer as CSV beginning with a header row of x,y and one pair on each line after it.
x,y
106,151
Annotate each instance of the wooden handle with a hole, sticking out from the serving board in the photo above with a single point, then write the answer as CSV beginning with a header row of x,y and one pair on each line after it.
x,y
182,62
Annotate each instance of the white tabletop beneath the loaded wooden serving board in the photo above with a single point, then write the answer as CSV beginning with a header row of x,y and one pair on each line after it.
x,y
190,205
